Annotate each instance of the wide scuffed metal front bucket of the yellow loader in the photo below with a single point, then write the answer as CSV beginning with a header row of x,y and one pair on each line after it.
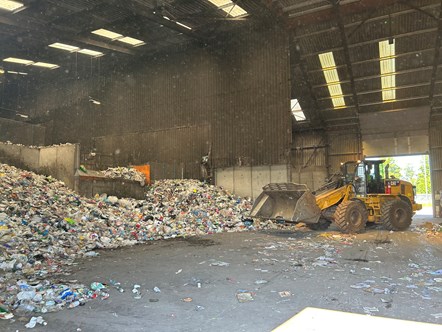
x,y
290,202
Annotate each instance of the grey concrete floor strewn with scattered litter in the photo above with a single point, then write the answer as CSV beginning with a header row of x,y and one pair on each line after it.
x,y
317,268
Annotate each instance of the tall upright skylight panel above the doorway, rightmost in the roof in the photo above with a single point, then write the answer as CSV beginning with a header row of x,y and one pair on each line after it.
x,y
387,62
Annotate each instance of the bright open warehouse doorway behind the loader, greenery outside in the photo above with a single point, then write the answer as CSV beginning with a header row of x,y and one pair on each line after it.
x,y
416,170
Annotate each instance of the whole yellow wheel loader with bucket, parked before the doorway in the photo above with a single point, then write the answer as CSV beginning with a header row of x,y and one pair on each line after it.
x,y
359,194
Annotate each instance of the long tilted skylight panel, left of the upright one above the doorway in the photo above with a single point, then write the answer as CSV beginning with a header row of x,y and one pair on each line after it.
x,y
331,76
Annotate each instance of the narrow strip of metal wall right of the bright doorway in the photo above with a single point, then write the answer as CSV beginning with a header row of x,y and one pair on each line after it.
x,y
436,163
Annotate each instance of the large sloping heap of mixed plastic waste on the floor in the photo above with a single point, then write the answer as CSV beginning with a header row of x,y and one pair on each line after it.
x,y
44,227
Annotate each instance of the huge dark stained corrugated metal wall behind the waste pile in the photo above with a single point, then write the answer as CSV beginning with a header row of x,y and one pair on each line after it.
x,y
240,88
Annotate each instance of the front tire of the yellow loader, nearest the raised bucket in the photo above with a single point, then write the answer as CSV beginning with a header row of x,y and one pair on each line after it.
x,y
351,216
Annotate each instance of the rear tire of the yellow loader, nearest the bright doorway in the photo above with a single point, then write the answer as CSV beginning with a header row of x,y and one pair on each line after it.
x,y
396,215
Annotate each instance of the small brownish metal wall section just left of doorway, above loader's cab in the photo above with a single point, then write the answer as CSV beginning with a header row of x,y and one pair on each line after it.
x,y
343,146
